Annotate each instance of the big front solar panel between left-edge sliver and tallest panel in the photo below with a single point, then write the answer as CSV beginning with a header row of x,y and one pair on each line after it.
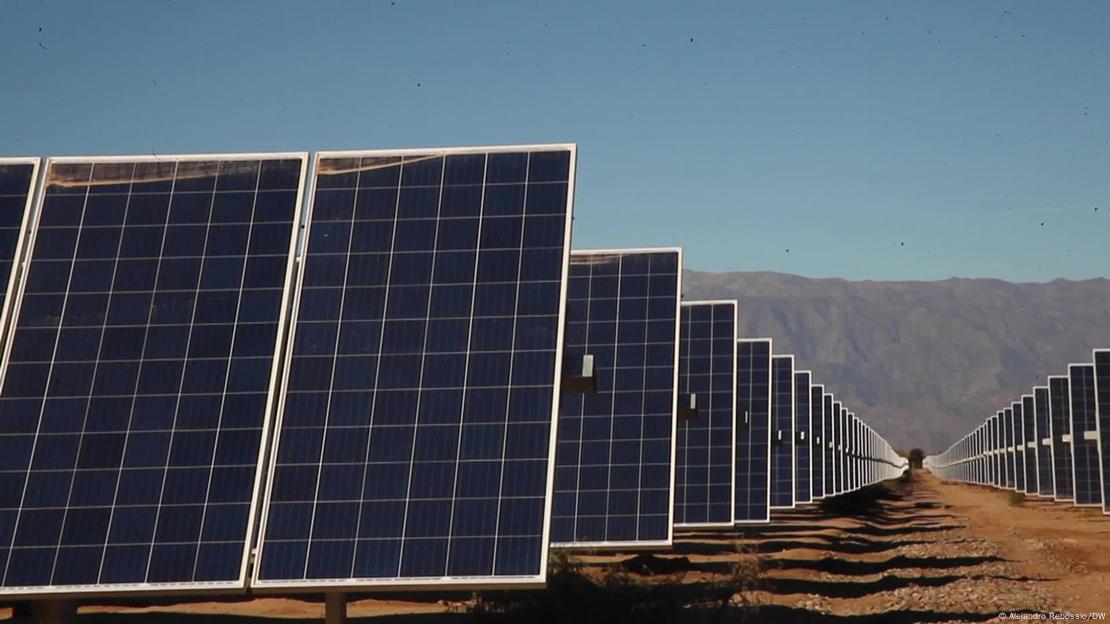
x,y
139,378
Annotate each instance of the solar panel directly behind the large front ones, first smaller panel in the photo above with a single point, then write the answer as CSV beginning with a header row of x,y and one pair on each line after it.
x,y
614,464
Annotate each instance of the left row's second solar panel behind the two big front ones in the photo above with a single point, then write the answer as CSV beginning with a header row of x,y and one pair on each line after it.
x,y
704,471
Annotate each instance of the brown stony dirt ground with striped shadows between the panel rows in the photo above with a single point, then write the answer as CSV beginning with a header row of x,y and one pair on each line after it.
x,y
914,551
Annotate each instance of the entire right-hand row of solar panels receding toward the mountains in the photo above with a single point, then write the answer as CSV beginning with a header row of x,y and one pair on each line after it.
x,y
1052,444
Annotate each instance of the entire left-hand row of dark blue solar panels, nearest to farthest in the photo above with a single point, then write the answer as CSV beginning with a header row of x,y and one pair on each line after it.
x,y
199,375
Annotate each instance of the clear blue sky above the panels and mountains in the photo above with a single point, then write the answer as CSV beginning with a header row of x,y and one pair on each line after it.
x,y
873,140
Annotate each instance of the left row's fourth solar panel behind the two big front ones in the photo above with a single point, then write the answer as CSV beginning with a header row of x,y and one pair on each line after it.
x,y
783,432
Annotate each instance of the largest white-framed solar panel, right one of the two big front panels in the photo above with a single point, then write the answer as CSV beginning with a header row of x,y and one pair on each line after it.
x,y
415,435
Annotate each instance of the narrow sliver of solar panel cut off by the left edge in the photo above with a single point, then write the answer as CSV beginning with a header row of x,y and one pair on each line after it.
x,y
17,190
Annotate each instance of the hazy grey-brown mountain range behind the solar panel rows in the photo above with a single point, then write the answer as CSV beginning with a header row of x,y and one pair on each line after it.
x,y
923,363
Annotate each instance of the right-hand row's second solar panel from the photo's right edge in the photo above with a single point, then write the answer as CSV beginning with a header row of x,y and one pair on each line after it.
x,y
1085,441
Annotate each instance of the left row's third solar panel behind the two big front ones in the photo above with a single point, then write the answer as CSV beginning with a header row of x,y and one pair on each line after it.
x,y
753,430
